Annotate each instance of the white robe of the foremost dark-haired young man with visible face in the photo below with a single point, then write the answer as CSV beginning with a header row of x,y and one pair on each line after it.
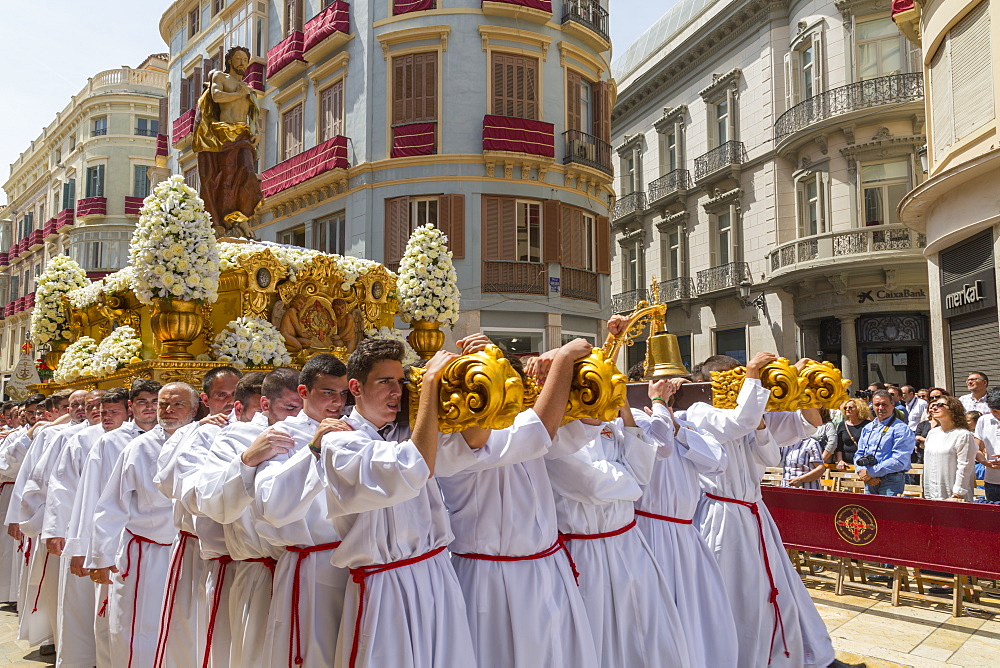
x,y
382,501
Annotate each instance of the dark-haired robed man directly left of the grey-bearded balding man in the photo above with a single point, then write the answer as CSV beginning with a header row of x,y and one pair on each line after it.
x,y
96,468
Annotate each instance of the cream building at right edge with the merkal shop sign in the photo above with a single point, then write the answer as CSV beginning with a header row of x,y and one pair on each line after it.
x,y
958,206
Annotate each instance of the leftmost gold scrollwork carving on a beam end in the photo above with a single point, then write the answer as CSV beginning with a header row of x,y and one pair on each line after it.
x,y
476,390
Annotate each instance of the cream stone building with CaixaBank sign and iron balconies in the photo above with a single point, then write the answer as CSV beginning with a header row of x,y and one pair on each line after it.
x,y
763,146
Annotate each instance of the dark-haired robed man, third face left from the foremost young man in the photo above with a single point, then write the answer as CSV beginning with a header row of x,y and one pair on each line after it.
x,y
223,492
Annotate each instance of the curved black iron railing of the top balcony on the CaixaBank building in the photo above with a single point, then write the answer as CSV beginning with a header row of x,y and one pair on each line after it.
x,y
892,89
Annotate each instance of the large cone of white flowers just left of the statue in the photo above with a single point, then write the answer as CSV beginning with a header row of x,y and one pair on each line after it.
x,y
173,249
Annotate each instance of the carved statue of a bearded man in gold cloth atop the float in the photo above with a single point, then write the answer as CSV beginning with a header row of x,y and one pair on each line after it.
x,y
225,139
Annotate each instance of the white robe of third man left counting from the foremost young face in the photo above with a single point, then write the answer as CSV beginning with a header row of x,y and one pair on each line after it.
x,y
223,491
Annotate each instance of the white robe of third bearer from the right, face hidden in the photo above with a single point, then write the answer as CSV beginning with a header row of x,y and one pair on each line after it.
x,y
631,609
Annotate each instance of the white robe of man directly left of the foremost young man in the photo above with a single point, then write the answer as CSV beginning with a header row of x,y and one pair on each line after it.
x,y
292,516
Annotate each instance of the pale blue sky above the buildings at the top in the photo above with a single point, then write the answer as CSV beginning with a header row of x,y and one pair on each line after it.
x,y
49,49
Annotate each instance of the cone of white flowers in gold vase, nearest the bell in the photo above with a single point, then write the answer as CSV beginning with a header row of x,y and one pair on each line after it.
x,y
428,285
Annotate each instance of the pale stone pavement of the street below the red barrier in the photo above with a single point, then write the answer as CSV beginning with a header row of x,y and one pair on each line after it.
x,y
864,627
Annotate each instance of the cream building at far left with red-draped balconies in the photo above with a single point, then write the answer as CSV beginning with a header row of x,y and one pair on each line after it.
x,y
78,187
